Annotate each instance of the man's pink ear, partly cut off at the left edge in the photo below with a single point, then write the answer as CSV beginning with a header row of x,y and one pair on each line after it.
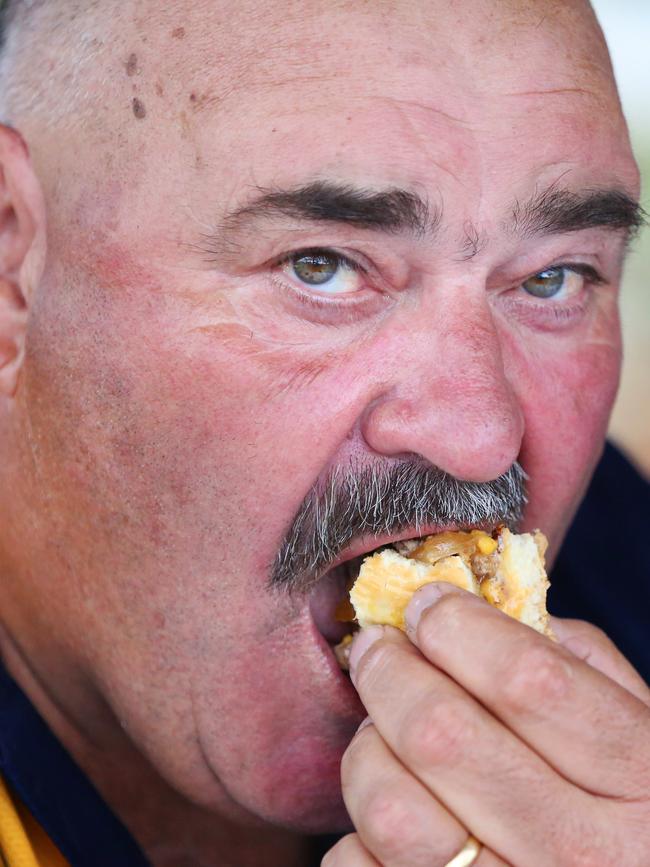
x,y
22,251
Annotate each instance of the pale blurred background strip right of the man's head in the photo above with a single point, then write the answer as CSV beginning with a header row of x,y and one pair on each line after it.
x,y
627,28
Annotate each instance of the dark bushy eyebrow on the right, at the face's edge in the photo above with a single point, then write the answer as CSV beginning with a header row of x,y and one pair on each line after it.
x,y
557,211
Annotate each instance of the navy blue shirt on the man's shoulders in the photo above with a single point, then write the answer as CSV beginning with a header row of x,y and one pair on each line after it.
x,y
602,575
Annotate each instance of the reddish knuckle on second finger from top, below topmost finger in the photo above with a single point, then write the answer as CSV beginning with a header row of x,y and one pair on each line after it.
x,y
438,732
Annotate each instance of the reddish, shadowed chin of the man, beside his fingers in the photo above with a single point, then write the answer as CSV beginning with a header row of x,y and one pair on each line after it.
x,y
283,769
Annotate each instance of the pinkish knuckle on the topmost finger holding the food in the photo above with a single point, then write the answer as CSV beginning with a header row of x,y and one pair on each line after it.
x,y
540,678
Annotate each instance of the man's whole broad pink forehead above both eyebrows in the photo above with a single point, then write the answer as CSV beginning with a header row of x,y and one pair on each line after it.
x,y
446,95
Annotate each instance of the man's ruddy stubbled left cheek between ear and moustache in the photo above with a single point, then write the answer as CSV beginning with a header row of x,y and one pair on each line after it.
x,y
171,437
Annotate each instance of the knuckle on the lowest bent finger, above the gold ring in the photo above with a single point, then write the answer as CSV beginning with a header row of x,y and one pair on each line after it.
x,y
389,823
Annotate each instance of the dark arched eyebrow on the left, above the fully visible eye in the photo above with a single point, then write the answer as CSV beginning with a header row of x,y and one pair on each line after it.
x,y
392,210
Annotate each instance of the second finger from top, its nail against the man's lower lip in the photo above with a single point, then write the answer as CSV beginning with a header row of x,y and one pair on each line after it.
x,y
495,785
